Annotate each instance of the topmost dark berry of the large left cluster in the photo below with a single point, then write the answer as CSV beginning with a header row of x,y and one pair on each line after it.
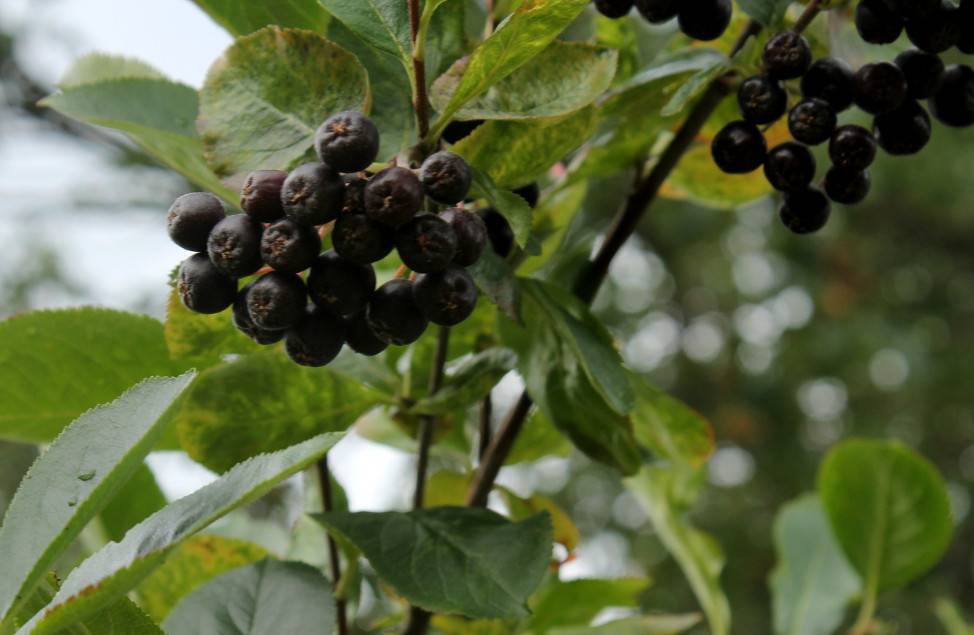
x,y
347,142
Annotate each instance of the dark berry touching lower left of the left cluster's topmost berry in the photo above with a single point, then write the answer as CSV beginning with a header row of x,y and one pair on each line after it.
x,y
313,194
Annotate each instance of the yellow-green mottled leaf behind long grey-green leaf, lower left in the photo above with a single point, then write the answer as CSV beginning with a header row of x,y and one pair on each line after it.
x,y
195,562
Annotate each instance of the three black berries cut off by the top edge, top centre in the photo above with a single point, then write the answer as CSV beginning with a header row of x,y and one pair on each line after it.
x,y
703,20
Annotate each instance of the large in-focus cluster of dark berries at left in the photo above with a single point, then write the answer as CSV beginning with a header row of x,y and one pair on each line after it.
x,y
279,237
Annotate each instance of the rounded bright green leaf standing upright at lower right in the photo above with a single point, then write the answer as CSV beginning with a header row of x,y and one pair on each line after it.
x,y
889,509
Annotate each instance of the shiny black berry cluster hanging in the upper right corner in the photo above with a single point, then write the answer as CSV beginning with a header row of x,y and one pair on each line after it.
x,y
890,92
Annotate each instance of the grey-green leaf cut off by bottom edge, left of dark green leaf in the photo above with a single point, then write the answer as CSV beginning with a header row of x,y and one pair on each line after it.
x,y
266,598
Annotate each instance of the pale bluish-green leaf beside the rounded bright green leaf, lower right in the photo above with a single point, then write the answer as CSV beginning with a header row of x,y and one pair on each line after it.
x,y
813,583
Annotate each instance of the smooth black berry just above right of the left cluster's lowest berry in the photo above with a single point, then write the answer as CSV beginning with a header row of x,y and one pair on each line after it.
x,y
339,285
